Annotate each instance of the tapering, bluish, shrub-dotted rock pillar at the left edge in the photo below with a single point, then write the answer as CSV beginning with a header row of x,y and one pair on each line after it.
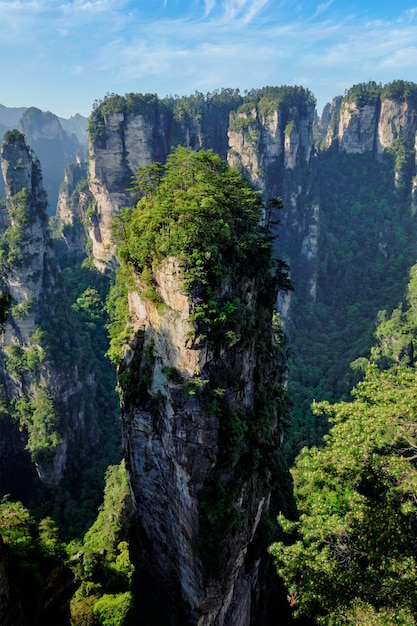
x,y
42,394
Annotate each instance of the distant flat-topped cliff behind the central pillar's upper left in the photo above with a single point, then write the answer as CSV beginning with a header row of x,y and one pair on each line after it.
x,y
135,131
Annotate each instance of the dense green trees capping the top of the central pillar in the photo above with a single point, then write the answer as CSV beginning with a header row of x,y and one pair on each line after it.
x,y
200,211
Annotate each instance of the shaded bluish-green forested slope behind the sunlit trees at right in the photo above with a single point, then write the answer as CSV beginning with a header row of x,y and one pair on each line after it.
x,y
366,246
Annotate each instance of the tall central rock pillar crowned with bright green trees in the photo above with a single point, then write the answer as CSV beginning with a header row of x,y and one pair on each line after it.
x,y
202,402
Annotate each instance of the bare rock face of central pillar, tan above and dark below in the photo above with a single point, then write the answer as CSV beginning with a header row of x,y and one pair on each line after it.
x,y
174,454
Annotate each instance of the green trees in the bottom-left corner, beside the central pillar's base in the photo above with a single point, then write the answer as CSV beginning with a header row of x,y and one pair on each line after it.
x,y
94,569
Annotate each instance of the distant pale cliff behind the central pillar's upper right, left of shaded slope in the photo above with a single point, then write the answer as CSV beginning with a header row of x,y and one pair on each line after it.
x,y
271,142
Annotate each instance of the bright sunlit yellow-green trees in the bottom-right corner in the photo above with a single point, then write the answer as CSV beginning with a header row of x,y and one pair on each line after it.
x,y
351,557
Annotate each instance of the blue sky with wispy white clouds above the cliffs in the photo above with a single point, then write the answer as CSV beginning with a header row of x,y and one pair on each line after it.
x,y
61,55
